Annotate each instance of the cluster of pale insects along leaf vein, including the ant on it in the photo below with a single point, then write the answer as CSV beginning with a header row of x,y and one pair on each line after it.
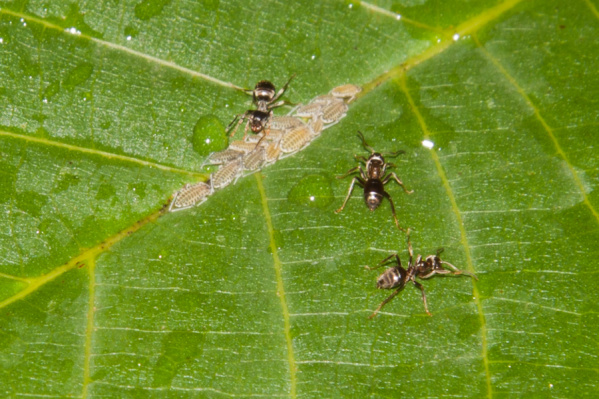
x,y
274,138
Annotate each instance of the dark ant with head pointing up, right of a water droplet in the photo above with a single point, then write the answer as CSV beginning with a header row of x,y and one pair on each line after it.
x,y
374,179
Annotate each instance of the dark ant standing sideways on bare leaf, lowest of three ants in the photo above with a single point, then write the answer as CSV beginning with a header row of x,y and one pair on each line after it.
x,y
397,276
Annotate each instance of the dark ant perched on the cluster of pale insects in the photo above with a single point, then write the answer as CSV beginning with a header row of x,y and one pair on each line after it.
x,y
264,96
